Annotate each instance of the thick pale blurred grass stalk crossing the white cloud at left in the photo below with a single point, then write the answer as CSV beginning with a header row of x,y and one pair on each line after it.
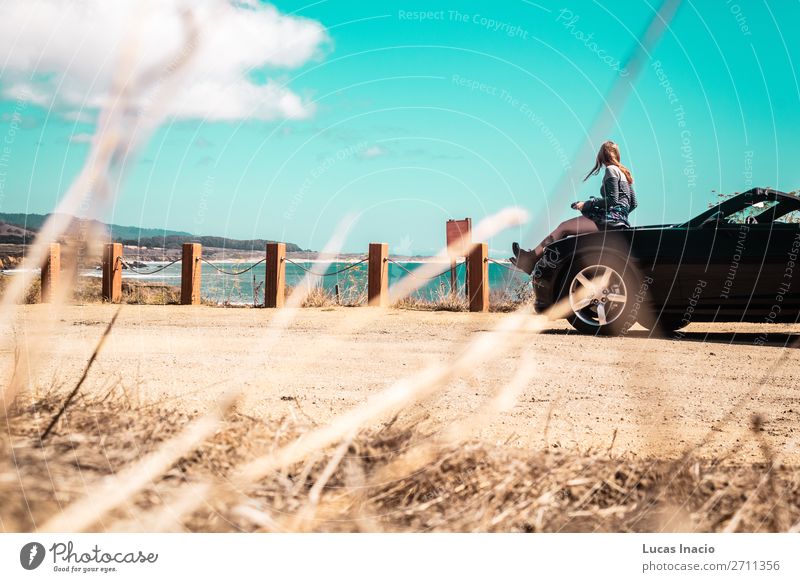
x,y
121,128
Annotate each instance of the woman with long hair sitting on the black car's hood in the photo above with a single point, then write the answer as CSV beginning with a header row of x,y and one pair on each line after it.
x,y
617,200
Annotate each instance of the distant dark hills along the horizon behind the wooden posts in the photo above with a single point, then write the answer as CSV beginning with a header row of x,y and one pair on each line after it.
x,y
16,228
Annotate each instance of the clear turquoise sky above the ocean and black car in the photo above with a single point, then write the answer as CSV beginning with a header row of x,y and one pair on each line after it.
x,y
478,106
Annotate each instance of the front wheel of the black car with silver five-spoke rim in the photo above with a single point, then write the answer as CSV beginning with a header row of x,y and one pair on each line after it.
x,y
600,293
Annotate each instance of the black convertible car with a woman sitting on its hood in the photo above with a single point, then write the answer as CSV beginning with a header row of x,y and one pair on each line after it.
x,y
737,261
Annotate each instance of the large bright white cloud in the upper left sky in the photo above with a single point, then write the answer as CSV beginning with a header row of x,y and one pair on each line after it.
x,y
63,53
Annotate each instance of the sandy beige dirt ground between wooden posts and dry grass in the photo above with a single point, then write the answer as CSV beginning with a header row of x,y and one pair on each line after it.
x,y
658,396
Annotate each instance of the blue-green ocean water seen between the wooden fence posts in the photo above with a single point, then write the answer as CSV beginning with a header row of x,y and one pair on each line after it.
x,y
239,289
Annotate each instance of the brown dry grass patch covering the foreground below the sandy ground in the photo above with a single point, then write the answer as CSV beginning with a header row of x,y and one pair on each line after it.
x,y
471,486
